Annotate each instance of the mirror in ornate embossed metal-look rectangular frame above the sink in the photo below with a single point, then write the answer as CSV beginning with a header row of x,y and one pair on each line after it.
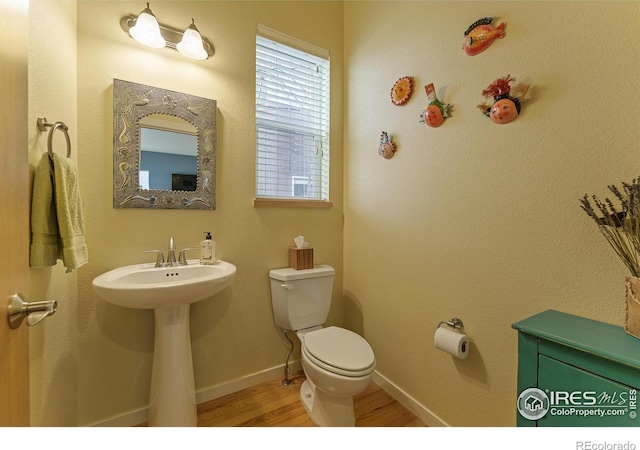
x,y
164,148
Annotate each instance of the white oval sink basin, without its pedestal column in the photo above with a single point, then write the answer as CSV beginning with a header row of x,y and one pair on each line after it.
x,y
147,287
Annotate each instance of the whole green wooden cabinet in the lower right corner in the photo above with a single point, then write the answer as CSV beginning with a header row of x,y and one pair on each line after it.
x,y
576,372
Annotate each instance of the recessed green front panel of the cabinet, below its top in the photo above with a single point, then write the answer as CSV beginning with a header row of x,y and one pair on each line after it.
x,y
583,399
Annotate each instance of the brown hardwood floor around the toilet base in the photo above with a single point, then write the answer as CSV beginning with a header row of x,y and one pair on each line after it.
x,y
272,405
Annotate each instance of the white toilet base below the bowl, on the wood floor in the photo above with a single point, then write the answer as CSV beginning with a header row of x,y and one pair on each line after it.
x,y
327,410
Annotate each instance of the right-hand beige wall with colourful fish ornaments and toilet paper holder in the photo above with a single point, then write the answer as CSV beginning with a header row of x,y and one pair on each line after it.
x,y
473,219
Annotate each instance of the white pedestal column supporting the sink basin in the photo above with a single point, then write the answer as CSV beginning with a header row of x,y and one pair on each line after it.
x,y
173,398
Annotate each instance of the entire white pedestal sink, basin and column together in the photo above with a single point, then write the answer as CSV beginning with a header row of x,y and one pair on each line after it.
x,y
169,291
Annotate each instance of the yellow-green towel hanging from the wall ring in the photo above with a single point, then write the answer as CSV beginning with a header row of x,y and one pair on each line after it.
x,y
57,222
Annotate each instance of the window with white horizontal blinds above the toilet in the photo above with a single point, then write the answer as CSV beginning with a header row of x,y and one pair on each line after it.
x,y
292,118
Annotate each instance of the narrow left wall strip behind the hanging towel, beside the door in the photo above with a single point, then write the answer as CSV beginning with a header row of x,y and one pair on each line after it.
x,y
53,89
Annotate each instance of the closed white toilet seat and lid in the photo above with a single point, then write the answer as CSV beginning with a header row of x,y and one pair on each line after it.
x,y
339,351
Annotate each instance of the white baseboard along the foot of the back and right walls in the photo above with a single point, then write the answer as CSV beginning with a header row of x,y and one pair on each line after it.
x,y
139,416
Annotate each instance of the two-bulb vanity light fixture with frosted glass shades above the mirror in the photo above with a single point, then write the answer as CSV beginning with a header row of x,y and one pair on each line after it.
x,y
146,30
